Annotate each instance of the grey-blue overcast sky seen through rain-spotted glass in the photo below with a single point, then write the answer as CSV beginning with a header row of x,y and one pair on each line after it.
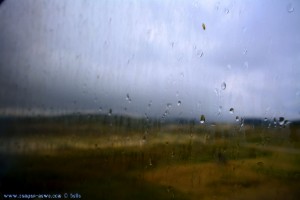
x,y
151,57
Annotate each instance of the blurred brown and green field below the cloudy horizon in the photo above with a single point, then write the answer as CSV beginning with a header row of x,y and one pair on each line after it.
x,y
137,161
